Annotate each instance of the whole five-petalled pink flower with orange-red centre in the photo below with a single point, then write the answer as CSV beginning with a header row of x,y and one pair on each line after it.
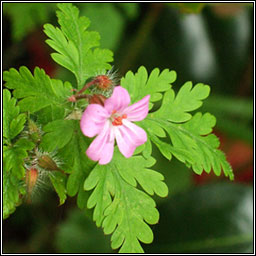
x,y
114,121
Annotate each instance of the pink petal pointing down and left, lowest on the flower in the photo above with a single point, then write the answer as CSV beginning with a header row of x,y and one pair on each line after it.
x,y
102,147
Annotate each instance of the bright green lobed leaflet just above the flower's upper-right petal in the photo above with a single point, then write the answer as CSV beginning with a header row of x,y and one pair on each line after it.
x,y
140,84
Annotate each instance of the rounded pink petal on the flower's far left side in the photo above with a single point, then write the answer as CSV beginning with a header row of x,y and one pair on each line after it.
x,y
93,120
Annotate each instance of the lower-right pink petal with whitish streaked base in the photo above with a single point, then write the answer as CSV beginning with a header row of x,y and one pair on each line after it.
x,y
128,137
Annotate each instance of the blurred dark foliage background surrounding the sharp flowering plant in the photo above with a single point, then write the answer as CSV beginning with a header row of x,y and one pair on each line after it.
x,y
208,43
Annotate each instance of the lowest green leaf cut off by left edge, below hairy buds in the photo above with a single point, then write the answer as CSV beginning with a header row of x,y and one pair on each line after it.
x,y
12,189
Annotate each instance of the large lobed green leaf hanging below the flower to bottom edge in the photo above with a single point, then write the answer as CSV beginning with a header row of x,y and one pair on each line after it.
x,y
120,208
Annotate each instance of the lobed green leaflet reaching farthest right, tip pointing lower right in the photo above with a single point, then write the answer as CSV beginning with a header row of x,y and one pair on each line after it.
x,y
196,150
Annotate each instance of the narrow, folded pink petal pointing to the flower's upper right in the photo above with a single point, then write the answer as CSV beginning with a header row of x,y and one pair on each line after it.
x,y
137,111
